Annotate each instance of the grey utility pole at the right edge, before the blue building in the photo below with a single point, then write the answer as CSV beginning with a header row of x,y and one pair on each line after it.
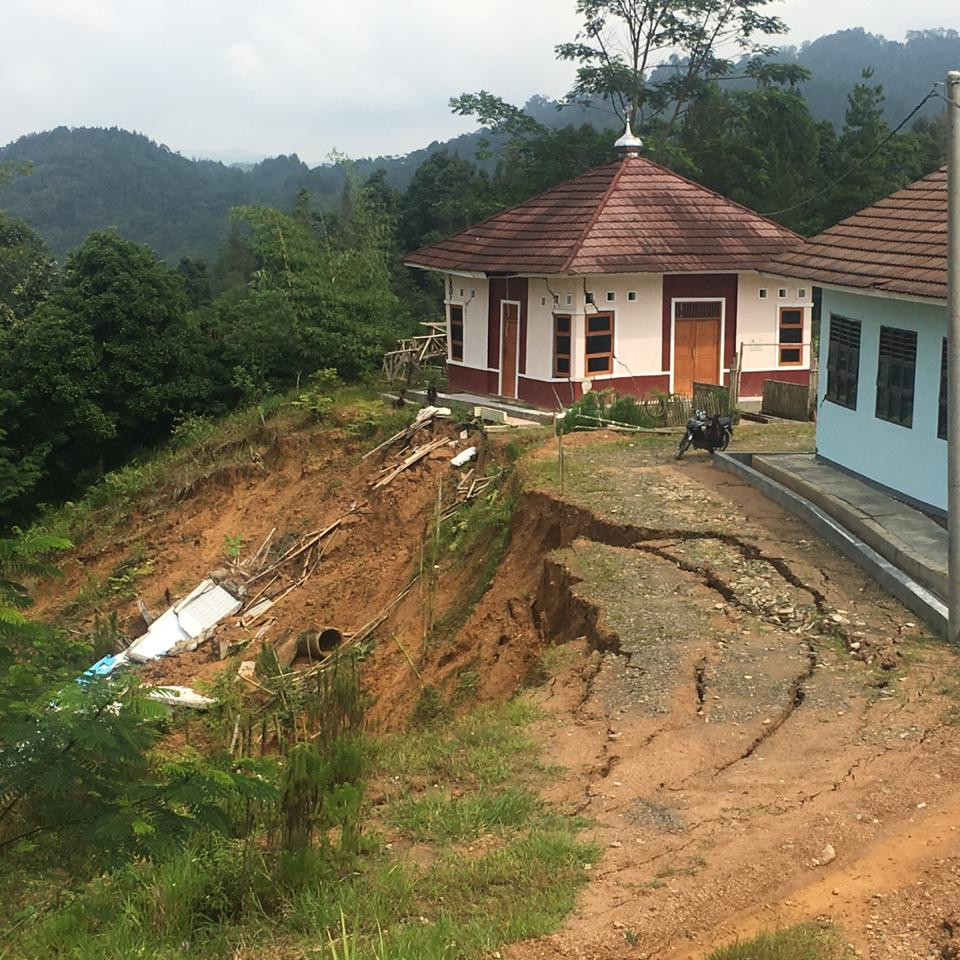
x,y
953,353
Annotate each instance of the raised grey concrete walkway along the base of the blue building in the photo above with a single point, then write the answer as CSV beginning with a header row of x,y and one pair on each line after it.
x,y
905,537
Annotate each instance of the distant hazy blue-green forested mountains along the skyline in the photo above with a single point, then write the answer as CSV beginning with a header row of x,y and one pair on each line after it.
x,y
85,179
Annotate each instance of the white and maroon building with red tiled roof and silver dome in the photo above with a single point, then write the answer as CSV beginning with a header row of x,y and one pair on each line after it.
x,y
629,276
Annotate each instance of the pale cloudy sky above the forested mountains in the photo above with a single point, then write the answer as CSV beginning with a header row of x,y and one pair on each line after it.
x,y
307,76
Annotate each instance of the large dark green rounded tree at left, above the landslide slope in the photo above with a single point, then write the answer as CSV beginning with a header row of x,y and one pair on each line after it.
x,y
102,368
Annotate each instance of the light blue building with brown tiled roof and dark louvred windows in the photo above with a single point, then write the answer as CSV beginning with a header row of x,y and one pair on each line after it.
x,y
882,393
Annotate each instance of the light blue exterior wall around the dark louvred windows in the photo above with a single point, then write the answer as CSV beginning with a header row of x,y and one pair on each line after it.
x,y
911,460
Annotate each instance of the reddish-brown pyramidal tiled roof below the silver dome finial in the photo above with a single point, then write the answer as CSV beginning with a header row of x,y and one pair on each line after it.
x,y
632,216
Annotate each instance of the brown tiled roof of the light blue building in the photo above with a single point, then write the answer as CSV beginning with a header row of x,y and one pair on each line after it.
x,y
899,245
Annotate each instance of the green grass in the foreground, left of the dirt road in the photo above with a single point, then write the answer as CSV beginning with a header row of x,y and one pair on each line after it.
x,y
196,905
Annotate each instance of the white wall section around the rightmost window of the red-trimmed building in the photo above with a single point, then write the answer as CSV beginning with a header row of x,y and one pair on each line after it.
x,y
758,320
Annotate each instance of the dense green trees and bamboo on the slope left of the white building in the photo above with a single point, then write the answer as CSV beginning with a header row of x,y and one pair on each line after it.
x,y
100,360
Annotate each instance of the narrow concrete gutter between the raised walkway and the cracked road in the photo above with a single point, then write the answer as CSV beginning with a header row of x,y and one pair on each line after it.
x,y
895,581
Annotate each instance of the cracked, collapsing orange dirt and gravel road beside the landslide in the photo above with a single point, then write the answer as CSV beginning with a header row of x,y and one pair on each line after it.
x,y
735,698
